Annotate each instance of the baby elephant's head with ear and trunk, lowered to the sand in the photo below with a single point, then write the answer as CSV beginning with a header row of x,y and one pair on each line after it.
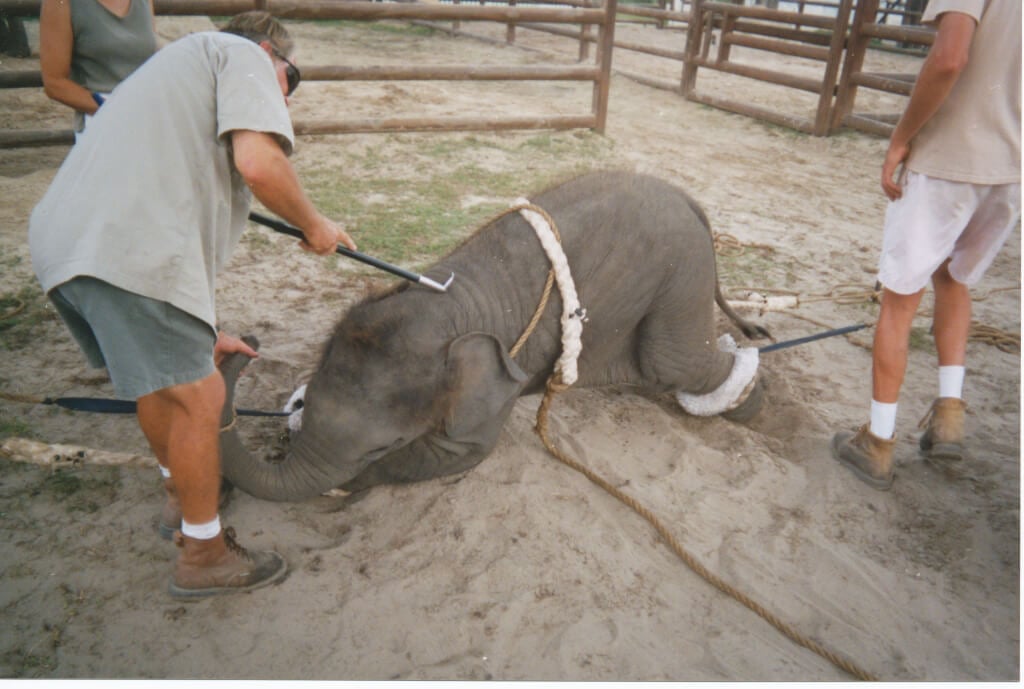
x,y
388,404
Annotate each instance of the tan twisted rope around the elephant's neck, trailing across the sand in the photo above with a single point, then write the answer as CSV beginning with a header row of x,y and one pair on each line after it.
x,y
554,386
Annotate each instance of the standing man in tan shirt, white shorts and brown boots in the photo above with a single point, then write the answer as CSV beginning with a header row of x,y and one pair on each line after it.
x,y
953,176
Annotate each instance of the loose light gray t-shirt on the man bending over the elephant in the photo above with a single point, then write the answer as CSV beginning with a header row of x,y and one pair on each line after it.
x,y
150,200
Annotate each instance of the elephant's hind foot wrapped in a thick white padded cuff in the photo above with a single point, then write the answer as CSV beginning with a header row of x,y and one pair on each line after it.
x,y
740,398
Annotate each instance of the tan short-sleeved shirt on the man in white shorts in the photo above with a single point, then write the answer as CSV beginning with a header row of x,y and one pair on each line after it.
x,y
976,135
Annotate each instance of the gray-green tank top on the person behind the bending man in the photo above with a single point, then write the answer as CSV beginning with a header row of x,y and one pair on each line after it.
x,y
108,49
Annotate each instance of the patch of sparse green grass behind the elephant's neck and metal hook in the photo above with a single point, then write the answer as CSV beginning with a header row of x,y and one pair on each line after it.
x,y
406,198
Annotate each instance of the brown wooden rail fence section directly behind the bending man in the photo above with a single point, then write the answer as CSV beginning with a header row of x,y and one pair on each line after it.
x,y
599,74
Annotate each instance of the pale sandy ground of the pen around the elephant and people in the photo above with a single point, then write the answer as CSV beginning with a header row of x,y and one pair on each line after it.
x,y
523,570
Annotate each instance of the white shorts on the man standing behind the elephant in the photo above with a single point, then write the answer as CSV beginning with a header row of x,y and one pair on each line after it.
x,y
936,221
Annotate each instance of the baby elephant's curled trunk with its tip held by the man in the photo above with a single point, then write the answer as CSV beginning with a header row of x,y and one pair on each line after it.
x,y
300,477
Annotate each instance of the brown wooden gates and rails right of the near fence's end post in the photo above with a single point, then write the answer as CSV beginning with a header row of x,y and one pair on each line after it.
x,y
837,44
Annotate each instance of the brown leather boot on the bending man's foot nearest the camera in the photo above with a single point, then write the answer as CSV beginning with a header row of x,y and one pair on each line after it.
x,y
221,566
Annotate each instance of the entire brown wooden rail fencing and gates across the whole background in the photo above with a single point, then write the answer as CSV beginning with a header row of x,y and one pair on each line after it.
x,y
838,44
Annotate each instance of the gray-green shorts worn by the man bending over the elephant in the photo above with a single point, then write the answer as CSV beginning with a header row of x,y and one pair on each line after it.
x,y
146,344
